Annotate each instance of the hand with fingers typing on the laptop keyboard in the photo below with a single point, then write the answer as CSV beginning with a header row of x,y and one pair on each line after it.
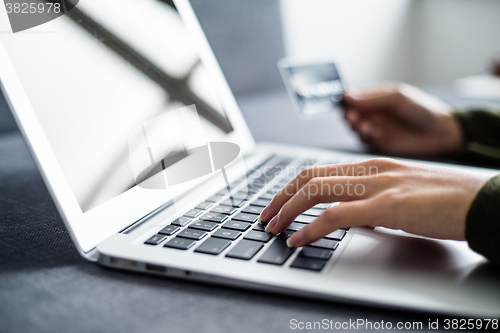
x,y
424,200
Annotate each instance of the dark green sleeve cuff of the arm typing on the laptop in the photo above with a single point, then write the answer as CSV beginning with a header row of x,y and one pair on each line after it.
x,y
482,229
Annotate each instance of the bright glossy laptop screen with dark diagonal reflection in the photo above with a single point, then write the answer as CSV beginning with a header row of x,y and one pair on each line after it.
x,y
120,92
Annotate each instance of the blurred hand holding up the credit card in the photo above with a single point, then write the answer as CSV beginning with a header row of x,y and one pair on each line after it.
x,y
403,120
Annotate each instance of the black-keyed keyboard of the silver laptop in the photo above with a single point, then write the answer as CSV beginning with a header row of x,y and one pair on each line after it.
x,y
229,221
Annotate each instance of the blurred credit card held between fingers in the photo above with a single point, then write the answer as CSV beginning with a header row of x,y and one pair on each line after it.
x,y
315,88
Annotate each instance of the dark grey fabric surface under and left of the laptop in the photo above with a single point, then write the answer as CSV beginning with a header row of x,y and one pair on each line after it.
x,y
45,286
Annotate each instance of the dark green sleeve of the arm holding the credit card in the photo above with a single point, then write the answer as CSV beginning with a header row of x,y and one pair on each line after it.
x,y
481,131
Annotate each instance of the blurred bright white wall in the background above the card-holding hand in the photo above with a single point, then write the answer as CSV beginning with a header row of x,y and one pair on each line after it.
x,y
429,42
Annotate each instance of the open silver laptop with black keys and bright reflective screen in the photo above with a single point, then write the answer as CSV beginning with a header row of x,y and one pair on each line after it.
x,y
153,169
